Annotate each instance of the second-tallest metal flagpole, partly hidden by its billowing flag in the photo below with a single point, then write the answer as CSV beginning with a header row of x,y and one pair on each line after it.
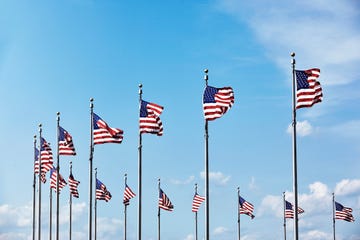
x,y
207,237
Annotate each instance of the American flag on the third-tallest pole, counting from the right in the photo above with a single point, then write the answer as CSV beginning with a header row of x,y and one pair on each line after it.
x,y
149,118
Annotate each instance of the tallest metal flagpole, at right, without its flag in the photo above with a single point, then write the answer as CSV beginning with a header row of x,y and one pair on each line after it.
x,y
296,234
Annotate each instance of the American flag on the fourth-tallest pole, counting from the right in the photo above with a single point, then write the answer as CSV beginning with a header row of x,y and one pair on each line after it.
x,y
105,134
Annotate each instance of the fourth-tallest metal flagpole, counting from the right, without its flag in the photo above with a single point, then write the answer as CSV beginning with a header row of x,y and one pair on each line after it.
x,y
90,168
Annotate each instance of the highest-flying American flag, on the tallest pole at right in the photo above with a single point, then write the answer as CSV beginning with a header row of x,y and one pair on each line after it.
x,y
309,90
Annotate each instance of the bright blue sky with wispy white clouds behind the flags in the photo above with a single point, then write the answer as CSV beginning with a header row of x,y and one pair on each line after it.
x,y
56,55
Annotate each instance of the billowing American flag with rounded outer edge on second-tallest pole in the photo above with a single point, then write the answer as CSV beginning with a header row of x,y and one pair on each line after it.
x,y
216,101
